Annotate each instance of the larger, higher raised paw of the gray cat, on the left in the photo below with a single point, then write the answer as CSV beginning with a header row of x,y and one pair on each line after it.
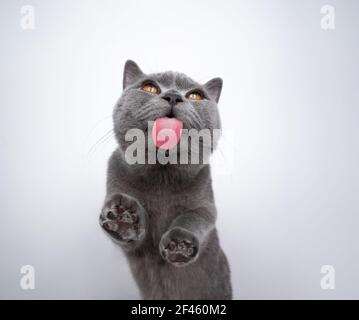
x,y
123,218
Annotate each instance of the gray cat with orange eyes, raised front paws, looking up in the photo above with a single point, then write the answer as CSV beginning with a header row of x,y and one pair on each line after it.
x,y
163,216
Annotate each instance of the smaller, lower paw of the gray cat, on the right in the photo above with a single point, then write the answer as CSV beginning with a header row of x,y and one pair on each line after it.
x,y
179,247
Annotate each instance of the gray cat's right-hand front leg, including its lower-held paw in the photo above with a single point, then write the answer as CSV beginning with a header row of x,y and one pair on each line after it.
x,y
181,244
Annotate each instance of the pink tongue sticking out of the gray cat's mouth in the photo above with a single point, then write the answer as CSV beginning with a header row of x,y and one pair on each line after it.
x,y
166,132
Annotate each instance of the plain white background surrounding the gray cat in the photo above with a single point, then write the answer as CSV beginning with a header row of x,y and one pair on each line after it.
x,y
288,194
